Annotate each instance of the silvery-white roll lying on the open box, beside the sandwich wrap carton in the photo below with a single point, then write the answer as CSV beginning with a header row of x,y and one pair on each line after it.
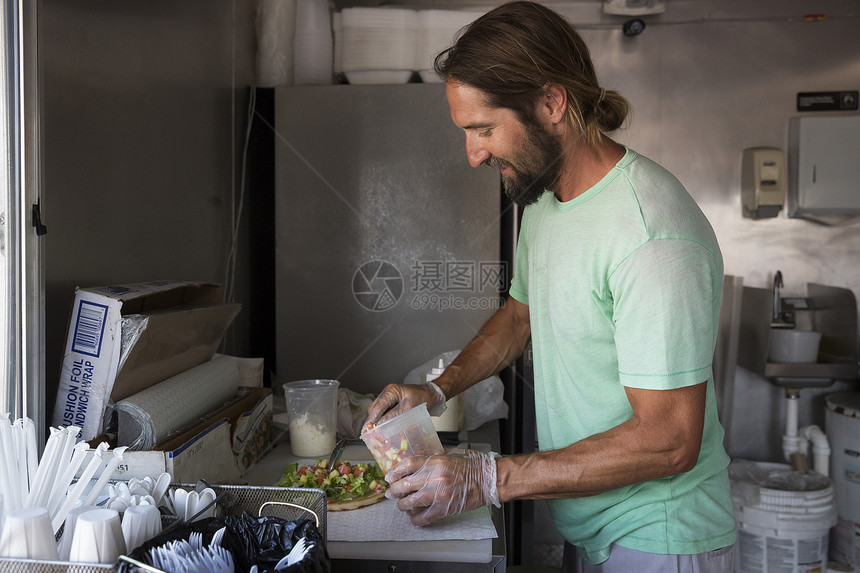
x,y
148,417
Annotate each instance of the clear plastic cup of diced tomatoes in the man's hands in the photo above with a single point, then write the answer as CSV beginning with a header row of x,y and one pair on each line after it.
x,y
409,434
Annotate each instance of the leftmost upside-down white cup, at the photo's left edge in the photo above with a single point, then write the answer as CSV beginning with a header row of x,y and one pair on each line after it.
x,y
27,534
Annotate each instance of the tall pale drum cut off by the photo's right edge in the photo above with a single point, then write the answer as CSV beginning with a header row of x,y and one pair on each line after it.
x,y
843,428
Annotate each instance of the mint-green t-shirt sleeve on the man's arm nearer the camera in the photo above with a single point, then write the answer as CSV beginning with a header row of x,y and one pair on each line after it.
x,y
666,312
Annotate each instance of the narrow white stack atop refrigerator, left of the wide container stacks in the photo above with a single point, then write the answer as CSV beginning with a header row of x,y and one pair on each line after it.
x,y
312,43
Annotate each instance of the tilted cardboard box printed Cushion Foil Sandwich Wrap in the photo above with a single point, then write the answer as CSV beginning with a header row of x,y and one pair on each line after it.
x,y
123,339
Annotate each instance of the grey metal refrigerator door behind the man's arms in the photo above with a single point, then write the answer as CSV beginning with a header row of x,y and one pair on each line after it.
x,y
387,241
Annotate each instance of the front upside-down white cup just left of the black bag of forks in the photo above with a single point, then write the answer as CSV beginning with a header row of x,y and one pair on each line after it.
x,y
98,537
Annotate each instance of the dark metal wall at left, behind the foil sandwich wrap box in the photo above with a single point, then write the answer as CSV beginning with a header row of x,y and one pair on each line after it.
x,y
142,119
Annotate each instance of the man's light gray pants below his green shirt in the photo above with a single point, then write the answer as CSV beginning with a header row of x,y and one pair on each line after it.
x,y
623,560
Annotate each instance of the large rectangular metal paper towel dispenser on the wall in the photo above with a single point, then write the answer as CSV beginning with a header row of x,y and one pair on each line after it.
x,y
825,171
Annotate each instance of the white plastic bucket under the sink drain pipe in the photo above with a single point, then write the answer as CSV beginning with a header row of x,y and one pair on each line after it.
x,y
780,530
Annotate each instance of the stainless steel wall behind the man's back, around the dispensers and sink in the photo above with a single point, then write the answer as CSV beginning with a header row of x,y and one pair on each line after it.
x,y
708,79
